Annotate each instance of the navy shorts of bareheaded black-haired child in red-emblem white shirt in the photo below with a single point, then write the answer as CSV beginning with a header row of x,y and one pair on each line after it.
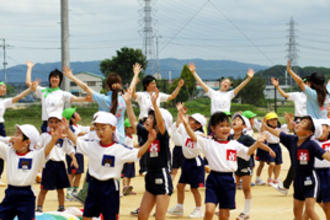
x,y
221,188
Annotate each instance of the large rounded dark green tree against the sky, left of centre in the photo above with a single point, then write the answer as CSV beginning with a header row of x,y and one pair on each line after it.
x,y
123,62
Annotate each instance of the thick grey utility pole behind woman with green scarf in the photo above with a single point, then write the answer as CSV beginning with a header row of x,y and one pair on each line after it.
x,y
65,50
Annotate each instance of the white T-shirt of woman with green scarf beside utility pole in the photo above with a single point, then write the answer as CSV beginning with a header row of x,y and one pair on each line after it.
x,y
52,101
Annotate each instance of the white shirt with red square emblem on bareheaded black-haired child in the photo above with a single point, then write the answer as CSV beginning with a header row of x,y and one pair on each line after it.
x,y
221,155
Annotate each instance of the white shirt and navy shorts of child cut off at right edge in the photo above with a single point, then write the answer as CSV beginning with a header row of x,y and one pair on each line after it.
x,y
322,168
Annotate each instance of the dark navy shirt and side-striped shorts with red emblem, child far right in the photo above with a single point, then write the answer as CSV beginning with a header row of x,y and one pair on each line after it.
x,y
305,183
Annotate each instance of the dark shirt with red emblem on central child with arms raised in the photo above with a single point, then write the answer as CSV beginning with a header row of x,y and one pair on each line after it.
x,y
158,154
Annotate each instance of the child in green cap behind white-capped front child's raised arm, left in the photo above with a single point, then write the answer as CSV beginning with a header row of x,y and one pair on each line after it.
x,y
73,117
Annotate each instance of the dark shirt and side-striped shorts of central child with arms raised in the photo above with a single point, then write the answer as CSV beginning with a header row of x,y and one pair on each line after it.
x,y
157,180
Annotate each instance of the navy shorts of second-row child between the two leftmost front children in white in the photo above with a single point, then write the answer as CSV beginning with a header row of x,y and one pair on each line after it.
x,y
54,176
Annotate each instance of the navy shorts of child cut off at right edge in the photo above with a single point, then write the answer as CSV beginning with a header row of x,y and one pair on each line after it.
x,y
324,177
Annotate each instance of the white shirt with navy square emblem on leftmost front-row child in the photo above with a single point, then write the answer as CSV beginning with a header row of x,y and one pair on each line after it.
x,y
22,169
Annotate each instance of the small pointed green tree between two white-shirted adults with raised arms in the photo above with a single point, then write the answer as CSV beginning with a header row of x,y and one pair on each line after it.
x,y
189,87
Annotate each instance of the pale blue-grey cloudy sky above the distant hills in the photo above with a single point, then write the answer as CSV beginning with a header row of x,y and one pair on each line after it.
x,y
251,31
